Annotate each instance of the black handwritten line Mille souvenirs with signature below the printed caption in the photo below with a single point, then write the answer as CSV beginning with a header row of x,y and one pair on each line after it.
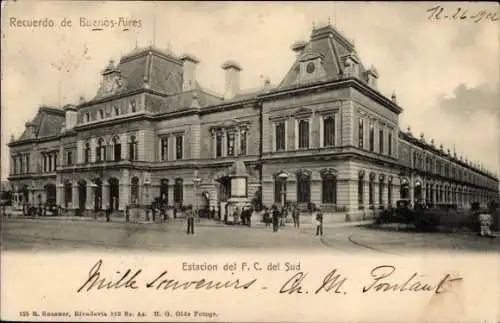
x,y
380,280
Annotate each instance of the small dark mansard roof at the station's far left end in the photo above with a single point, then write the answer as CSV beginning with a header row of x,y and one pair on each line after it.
x,y
48,122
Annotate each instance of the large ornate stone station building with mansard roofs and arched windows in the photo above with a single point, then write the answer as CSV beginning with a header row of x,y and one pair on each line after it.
x,y
323,135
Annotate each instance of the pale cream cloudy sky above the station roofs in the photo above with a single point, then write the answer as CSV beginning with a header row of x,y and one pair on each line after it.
x,y
445,73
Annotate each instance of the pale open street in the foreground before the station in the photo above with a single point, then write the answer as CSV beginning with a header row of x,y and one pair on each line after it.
x,y
20,234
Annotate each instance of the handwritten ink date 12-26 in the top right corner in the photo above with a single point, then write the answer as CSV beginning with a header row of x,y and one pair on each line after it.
x,y
439,13
